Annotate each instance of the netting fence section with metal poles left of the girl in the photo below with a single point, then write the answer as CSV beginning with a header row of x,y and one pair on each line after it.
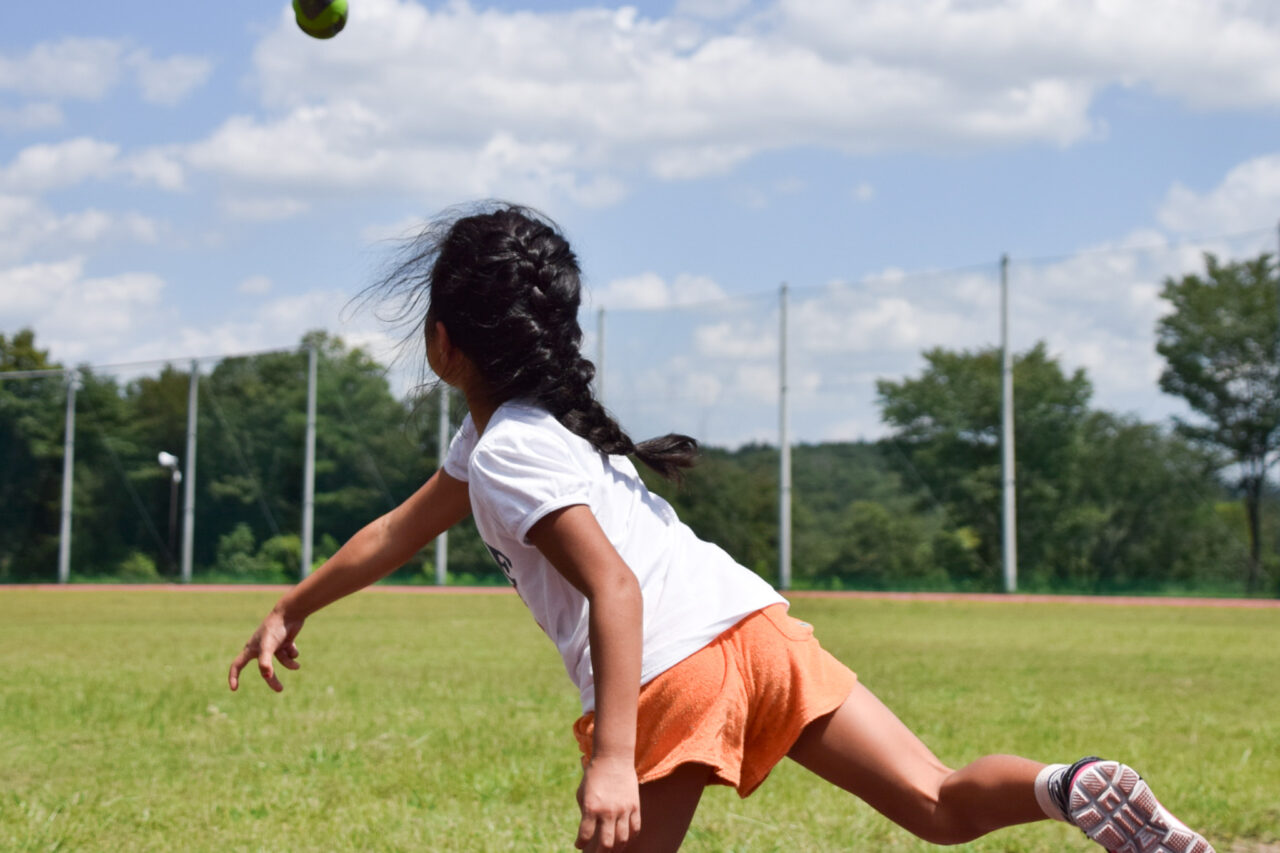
x,y
196,469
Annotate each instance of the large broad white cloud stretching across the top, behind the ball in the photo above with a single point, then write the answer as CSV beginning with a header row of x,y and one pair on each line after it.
x,y
469,102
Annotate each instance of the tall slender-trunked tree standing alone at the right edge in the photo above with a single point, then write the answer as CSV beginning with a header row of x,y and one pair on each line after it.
x,y
1220,348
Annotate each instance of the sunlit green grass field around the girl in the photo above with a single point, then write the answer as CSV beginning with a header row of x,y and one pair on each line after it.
x,y
442,723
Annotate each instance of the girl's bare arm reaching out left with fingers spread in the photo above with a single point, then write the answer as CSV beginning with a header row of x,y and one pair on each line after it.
x,y
376,551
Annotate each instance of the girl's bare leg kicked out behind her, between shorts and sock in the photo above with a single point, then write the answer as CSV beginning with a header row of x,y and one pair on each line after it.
x,y
863,749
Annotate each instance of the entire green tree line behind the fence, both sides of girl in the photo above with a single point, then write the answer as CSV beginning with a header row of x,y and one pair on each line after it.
x,y
1105,503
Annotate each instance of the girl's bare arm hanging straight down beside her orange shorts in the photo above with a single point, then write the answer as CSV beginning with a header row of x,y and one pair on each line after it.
x,y
610,796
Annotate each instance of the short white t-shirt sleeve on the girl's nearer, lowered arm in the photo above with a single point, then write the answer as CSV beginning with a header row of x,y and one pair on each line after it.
x,y
524,475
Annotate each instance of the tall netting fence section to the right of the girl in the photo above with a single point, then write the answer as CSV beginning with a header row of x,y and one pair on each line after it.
x,y
893,407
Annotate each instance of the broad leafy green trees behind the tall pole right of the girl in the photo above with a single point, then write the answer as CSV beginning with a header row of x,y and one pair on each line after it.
x,y
1105,504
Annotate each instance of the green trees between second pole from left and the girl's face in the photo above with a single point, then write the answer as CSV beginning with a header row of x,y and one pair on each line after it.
x,y
253,425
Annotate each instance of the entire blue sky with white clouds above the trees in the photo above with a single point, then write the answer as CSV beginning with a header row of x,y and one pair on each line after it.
x,y
177,184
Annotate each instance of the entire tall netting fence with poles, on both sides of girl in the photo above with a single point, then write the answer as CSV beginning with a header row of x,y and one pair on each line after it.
x,y
888,390
